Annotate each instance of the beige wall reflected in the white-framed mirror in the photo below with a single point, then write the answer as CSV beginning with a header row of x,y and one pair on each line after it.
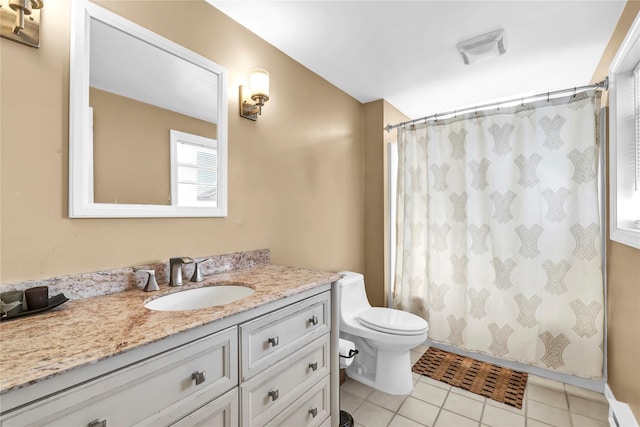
x,y
131,150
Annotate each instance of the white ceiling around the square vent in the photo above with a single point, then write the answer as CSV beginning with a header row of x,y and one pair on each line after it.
x,y
405,51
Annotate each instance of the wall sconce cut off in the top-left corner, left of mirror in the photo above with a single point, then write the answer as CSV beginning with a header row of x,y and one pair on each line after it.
x,y
21,21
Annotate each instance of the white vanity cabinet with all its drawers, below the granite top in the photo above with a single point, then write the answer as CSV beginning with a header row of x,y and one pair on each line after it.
x,y
267,366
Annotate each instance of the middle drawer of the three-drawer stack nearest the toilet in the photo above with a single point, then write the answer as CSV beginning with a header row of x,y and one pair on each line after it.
x,y
268,393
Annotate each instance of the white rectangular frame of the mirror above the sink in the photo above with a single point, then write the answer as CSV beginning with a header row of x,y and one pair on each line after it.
x,y
81,198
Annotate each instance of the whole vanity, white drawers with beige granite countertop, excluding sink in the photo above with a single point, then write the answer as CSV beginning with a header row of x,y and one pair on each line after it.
x,y
270,358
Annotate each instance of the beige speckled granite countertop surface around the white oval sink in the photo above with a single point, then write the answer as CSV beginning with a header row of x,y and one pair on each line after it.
x,y
88,330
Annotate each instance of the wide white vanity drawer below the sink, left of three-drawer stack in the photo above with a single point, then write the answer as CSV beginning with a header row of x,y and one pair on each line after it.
x,y
143,390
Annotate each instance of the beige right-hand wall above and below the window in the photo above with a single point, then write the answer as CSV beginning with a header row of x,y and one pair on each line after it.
x,y
623,271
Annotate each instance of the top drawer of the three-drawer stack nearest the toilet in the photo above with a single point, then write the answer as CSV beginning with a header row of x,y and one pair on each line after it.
x,y
270,338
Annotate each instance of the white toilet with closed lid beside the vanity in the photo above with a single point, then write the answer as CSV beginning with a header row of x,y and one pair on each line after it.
x,y
382,336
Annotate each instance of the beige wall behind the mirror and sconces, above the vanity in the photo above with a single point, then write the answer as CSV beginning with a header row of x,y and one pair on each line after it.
x,y
295,175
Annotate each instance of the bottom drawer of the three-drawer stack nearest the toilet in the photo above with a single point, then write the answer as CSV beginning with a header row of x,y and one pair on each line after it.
x,y
312,409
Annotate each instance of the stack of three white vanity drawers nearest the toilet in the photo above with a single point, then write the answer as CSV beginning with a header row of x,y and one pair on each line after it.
x,y
284,355
